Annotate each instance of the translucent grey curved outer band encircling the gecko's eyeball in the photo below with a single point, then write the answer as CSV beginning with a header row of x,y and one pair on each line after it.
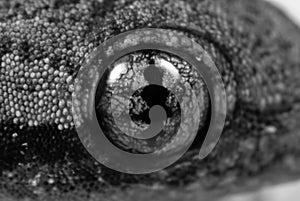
x,y
86,82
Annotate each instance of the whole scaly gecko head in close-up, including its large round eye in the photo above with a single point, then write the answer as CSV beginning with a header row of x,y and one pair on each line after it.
x,y
64,70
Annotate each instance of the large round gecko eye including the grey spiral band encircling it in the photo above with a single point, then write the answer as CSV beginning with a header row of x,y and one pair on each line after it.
x,y
142,98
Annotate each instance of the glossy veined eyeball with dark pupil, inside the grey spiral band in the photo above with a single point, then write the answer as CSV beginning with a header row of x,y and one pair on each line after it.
x,y
144,97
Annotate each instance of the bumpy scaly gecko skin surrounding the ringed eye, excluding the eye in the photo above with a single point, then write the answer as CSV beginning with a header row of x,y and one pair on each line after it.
x,y
43,44
